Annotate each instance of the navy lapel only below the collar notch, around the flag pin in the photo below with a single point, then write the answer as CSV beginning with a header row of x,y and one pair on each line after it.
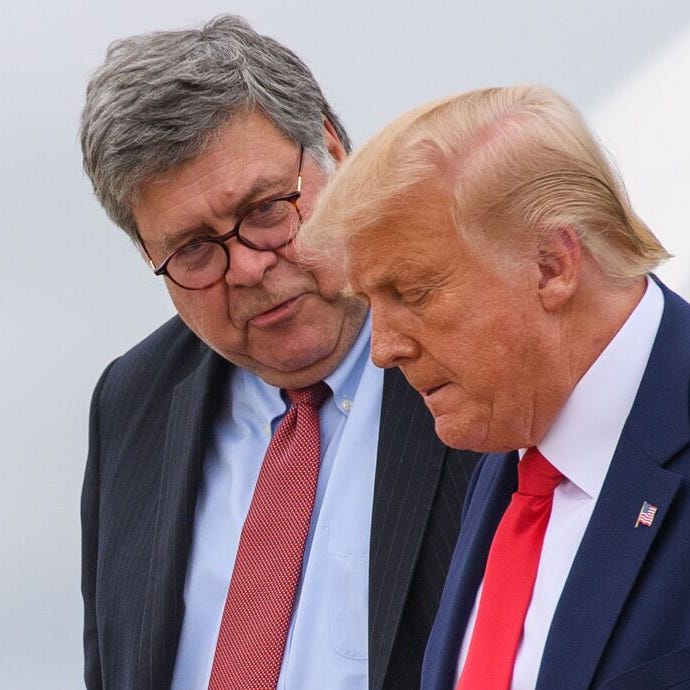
x,y
607,564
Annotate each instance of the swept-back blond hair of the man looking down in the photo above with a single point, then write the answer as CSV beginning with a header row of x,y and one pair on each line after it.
x,y
513,160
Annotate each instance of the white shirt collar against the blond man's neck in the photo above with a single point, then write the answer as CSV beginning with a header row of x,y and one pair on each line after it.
x,y
585,433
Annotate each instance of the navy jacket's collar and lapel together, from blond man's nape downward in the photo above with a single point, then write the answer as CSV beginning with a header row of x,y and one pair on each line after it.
x,y
613,551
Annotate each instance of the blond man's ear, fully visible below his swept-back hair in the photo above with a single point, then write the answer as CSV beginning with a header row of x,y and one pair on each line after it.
x,y
560,266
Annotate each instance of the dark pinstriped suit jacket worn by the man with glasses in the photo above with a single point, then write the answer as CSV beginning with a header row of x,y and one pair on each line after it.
x,y
151,413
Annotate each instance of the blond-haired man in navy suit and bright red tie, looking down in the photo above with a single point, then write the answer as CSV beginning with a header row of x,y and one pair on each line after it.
x,y
511,281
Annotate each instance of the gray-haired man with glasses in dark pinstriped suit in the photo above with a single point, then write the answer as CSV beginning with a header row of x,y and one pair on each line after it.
x,y
208,148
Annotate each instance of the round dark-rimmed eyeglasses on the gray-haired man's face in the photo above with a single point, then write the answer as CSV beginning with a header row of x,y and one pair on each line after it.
x,y
265,225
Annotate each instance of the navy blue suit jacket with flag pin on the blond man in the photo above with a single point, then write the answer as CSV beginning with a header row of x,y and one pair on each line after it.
x,y
623,619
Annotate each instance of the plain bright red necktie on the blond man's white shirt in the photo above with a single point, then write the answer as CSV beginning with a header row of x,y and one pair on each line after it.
x,y
509,577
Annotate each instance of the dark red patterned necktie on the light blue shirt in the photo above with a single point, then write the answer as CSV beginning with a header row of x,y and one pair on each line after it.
x,y
258,608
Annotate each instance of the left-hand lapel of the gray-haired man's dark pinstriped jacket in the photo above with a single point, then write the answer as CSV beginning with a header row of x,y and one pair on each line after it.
x,y
189,420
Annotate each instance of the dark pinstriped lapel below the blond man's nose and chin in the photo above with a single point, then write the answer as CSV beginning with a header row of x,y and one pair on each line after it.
x,y
409,464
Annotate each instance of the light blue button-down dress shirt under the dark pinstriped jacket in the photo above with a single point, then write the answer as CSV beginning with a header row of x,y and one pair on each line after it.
x,y
327,644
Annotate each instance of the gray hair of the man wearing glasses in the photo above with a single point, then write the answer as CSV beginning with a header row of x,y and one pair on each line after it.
x,y
159,97
